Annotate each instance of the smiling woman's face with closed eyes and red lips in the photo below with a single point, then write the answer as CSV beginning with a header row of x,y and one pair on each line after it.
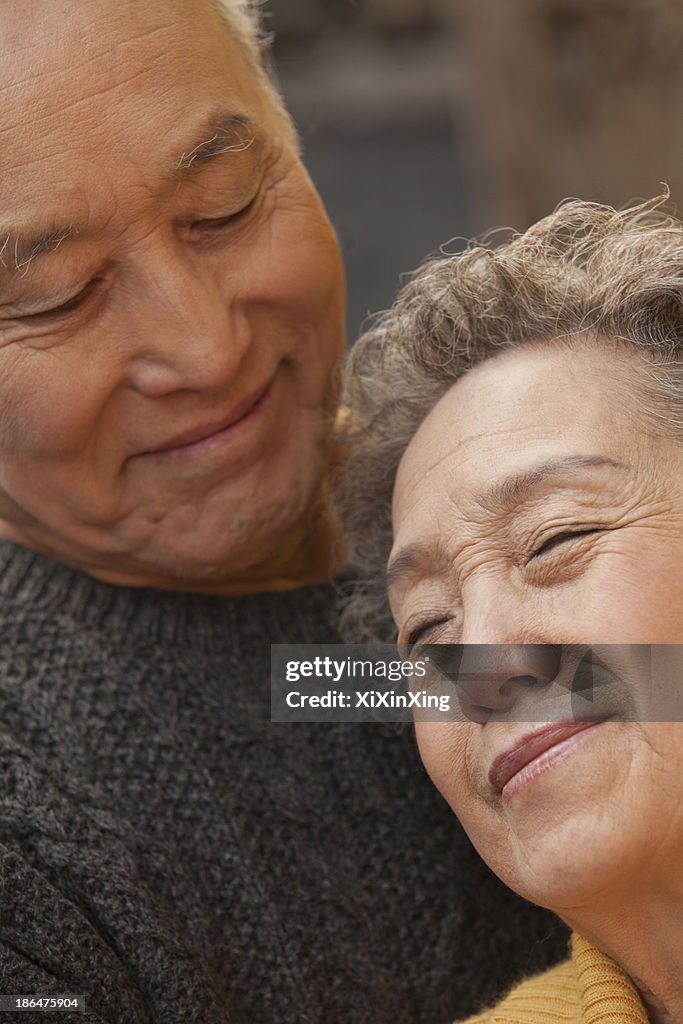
x,y
535,506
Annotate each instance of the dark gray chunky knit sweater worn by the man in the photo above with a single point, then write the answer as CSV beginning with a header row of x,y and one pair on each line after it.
x,y
172,856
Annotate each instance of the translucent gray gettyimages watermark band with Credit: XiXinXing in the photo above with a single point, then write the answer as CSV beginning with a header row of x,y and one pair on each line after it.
x,y
477,682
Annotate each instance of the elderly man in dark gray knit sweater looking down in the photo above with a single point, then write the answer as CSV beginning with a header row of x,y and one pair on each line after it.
x,y
170,323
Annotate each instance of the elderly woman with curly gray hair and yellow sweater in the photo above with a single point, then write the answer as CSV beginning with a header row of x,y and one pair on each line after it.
x,y
519,414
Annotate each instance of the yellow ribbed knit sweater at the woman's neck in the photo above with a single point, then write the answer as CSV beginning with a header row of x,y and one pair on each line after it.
x,y
589,989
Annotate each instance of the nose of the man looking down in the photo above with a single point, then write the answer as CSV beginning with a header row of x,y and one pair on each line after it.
x,y
188,335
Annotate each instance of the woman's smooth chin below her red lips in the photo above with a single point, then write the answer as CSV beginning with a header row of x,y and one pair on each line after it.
x,y
559,836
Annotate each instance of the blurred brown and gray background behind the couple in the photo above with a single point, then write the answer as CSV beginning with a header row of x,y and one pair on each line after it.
x,y
429,121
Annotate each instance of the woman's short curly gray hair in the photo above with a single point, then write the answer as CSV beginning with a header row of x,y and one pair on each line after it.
x,y
586,269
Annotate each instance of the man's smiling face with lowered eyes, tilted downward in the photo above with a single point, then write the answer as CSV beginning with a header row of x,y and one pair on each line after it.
x,y
170,296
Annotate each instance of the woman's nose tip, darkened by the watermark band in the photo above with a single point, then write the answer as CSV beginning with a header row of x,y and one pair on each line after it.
x,y
490,678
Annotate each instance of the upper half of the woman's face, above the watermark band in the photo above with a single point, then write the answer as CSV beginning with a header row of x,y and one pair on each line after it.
x,y
539,507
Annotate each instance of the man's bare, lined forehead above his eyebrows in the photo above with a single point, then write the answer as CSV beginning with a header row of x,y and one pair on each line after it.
x,y
71,98
